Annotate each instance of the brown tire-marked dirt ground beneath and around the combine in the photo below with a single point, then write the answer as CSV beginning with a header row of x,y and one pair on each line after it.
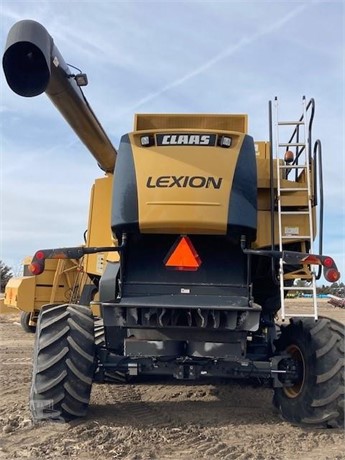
x,y
162,421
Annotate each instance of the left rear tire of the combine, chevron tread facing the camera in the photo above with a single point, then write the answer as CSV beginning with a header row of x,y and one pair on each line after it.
x,y
63,363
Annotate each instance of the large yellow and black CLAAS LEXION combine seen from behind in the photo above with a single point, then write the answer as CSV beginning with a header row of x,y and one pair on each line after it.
x,y
205,233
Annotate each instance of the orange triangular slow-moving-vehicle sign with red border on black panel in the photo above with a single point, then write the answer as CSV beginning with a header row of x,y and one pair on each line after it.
x,y
183,256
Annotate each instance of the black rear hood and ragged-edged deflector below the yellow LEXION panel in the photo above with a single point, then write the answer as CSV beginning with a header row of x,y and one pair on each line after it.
x,y
176,303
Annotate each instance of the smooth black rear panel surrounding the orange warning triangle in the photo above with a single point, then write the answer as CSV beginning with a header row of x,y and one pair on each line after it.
x,y
222,271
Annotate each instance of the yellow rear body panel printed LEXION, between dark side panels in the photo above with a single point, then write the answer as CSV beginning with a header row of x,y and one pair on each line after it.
x,y
161,210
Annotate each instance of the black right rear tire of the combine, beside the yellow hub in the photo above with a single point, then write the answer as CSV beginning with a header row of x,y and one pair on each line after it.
x,y
317,399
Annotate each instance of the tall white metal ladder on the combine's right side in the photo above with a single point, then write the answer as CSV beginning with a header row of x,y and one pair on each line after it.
x,y
293,158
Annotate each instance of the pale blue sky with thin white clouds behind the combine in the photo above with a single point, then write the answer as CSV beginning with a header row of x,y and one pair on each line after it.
x,y
165,56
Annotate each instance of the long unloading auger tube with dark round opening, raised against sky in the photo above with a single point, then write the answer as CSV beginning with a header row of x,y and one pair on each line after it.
x,y
33,65
